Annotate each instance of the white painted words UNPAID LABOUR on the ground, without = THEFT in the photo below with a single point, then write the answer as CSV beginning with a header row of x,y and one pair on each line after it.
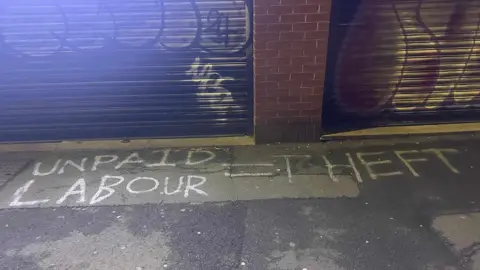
x,y
184,185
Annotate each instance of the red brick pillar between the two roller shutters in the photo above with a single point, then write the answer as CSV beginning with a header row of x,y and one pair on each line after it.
x,y
290,45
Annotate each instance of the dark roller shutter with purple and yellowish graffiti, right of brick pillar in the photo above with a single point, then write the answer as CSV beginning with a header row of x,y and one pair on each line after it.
x,y
403,62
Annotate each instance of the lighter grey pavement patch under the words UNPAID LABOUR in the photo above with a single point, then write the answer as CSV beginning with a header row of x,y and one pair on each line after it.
x,y
170,176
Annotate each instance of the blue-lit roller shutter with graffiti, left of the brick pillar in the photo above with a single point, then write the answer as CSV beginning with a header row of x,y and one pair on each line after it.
x,y
124,68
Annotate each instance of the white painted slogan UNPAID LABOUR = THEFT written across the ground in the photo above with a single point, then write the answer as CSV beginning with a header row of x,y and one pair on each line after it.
x,y
361,166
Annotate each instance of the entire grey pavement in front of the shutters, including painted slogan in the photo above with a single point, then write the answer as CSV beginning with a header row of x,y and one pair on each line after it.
x,y
321,206
